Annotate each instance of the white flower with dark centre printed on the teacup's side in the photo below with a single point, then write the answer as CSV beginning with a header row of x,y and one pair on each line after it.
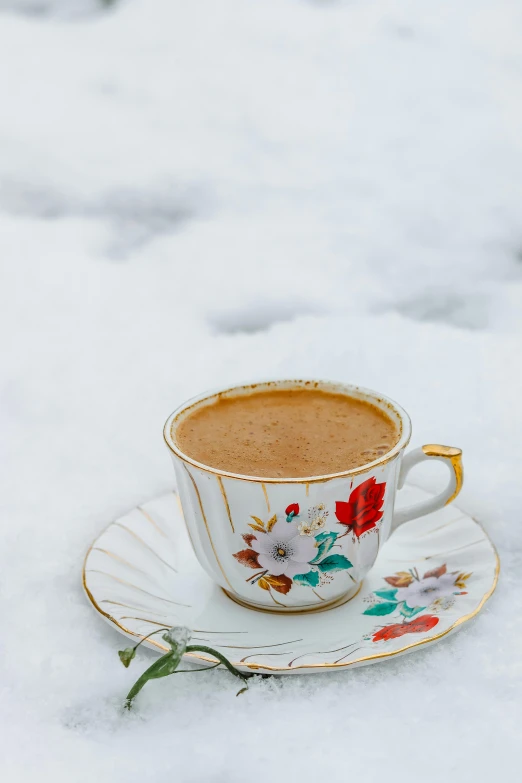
x,y
283,550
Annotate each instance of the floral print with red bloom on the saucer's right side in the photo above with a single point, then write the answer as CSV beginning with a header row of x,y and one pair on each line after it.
x,y
409,594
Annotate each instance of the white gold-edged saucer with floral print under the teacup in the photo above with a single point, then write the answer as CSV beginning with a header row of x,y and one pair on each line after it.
x,y
432,576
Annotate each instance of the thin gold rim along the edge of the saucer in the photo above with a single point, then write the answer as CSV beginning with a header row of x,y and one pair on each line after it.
x,y
276,669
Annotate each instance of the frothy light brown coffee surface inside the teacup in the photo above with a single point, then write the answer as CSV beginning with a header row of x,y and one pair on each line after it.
x,y
287,433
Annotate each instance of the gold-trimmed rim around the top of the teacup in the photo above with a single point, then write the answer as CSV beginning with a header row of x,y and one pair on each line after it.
x,y
404,420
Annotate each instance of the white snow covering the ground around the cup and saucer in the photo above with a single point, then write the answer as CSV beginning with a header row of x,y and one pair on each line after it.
x,y
193,194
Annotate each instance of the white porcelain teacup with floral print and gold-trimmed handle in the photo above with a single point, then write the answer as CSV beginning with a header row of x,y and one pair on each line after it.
x,y
299,544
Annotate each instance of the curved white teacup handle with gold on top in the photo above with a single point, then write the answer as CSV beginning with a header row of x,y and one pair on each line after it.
x,y
452,457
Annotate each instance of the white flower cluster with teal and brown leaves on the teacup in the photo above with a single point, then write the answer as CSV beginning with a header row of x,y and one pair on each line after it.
x,y
288,550
